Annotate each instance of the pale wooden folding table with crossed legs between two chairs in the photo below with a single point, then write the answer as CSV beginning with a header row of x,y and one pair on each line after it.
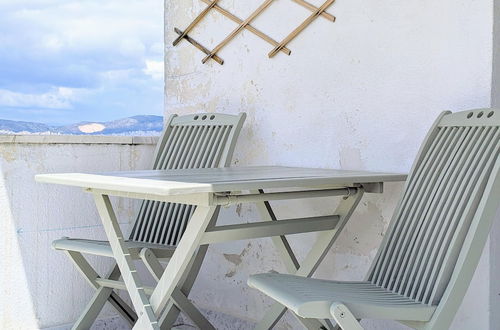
x,y
210,188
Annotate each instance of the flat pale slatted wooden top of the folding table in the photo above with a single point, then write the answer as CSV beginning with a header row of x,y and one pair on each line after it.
x,y
189,181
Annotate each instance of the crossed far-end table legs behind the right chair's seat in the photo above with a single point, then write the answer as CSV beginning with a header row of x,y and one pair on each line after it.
x,y
315,256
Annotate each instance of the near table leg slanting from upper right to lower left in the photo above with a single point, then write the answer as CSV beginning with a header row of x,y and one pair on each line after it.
x,y
179,263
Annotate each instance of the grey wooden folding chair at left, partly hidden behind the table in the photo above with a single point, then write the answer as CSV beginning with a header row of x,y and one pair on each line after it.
x,y
191,141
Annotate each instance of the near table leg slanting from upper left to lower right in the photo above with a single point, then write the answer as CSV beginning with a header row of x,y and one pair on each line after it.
x,y
147,318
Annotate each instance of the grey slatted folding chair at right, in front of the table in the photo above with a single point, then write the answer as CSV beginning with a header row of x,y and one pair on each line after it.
x,y
433,244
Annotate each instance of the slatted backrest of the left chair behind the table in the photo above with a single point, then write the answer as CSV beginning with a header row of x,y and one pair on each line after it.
x,y
192,141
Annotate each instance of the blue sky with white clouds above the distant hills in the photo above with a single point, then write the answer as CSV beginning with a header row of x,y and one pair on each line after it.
x,y
65,61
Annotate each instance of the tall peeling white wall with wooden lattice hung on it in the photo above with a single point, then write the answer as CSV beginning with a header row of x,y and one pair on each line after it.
x,y
360,94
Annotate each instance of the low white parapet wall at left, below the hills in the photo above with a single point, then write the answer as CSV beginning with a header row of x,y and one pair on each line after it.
x,y
39,287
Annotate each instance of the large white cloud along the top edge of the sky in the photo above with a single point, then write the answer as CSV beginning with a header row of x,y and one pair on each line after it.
x,y
112,25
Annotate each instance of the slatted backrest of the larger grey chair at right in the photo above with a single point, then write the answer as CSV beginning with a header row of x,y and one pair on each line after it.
x,y
441,196
